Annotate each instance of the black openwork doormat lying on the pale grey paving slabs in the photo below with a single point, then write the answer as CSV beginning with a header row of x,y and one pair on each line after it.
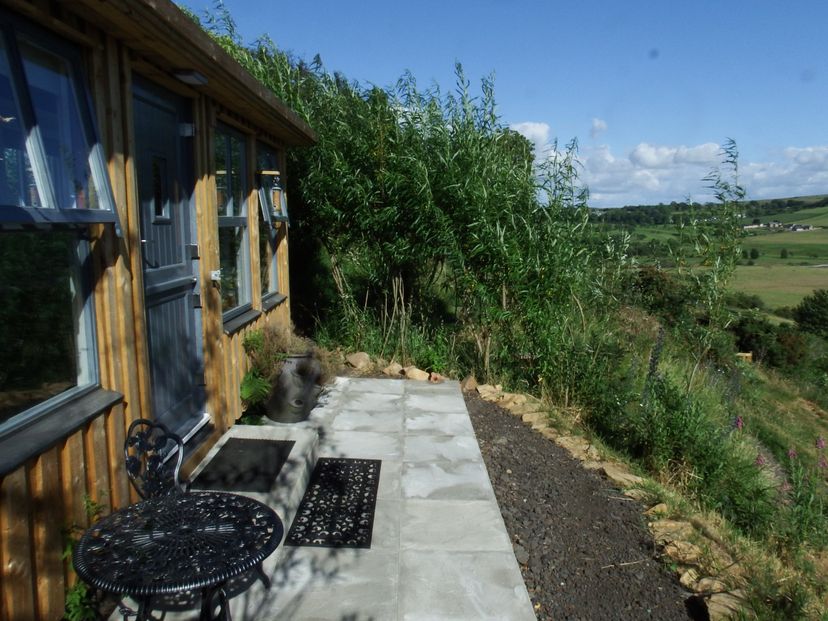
x,y
337,510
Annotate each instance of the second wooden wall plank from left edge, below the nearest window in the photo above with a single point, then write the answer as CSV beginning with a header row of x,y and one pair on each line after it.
x,y
47,515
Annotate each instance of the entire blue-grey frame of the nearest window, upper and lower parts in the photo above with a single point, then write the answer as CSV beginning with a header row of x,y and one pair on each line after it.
x,y
43,418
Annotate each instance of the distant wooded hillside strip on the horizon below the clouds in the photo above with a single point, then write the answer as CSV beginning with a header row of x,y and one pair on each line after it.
x,y
793,209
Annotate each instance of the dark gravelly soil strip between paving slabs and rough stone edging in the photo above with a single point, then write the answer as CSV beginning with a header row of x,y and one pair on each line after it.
x,y
582,546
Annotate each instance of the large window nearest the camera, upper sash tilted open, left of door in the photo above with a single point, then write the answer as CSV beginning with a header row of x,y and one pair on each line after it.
x,y
53,184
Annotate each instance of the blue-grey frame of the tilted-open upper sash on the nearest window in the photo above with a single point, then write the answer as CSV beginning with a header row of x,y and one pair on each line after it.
x,y
14,29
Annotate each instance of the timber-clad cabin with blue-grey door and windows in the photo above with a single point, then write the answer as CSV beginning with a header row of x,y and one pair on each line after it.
x,y
142,235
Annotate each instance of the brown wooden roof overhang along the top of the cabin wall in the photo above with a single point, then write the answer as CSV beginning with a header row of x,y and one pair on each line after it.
x,y
169,39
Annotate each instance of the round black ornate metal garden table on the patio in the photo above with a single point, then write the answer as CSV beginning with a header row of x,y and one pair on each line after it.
x,y
177,543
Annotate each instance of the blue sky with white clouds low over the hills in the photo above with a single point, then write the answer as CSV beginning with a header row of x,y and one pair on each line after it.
x,y
649,89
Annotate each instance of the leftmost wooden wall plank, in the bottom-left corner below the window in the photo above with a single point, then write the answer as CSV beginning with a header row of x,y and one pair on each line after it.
x,y
18,584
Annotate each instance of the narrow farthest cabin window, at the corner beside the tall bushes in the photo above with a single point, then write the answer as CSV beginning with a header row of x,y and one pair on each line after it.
x,y
272,212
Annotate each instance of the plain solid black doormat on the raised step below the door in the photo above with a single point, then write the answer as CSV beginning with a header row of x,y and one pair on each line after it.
x,y
244,465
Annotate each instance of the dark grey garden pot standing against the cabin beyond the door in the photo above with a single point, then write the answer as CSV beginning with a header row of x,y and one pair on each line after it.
x,y
296,390
